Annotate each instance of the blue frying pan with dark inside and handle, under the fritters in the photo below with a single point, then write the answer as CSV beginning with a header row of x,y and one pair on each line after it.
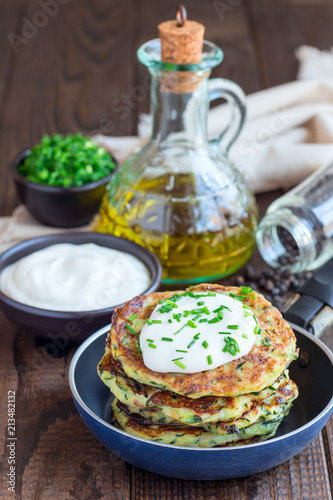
x,y
312,372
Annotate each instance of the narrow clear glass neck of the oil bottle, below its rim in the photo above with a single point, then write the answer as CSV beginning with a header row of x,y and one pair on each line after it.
x,y
179,107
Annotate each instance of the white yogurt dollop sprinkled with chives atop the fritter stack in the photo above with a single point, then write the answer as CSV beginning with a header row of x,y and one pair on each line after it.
x,y
182,340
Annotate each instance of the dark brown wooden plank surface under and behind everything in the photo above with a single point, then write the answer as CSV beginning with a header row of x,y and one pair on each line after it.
x,y
70,65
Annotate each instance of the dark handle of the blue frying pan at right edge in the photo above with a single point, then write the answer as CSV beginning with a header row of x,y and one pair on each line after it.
x,y
312,307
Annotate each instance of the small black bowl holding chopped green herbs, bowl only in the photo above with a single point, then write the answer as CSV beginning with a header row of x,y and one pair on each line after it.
x,y
59,206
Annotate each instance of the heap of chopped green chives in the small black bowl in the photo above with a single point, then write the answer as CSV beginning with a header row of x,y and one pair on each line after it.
x,y
72,160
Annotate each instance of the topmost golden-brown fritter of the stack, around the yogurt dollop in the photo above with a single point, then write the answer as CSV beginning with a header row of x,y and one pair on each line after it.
x,y
263,364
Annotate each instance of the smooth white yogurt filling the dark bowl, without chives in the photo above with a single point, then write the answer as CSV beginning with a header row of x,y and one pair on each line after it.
x,y
68,277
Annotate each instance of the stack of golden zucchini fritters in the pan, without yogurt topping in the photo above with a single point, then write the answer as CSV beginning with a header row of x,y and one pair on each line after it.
x,y
240,402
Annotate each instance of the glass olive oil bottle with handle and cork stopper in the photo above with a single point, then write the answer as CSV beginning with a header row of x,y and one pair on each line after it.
x,y
180,196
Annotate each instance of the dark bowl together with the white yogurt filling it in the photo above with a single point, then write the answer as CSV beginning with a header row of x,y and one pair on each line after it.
x,y
70,283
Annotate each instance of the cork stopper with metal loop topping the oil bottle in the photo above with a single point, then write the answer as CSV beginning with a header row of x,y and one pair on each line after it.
x,y
181,40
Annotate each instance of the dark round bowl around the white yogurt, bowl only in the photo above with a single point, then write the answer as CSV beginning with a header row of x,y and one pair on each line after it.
x,y
75,326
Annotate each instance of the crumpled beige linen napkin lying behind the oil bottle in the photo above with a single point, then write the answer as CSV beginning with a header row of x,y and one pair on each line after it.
x,y
288,135
